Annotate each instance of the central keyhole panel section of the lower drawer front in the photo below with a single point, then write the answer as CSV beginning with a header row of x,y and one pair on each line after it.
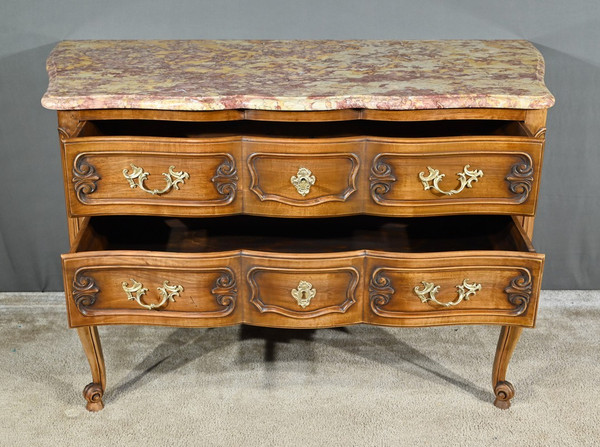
x,y
303,292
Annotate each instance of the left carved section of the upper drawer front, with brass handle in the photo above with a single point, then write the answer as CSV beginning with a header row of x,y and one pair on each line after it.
x,y
151,176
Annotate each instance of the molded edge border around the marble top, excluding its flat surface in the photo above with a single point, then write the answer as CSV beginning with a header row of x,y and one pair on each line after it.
x,y
542,99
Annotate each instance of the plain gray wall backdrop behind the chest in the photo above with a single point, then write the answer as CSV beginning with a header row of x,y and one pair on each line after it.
x,y
567,32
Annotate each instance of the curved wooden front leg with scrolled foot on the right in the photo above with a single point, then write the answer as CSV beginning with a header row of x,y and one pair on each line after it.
x,y
504,390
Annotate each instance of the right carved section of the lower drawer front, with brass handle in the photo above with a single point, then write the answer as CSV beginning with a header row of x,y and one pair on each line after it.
x,y
440,289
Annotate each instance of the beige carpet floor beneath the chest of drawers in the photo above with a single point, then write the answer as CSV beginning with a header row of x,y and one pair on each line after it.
x,y
246,386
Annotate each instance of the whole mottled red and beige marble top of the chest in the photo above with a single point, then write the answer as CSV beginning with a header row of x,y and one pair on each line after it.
x,y
295,75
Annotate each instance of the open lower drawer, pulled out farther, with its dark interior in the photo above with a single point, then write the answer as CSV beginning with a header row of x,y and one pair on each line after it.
x,y
302,273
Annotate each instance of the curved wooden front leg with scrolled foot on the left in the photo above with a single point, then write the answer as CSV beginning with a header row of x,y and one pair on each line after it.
x,y
93,350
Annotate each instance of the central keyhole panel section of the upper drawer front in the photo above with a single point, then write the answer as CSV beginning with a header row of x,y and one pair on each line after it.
x,y
302,178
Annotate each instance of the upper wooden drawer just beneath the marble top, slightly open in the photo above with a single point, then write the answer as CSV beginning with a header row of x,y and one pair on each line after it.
x,y
302,169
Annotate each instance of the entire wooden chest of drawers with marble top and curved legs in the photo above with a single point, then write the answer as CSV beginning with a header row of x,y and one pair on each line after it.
x,y
300,184
